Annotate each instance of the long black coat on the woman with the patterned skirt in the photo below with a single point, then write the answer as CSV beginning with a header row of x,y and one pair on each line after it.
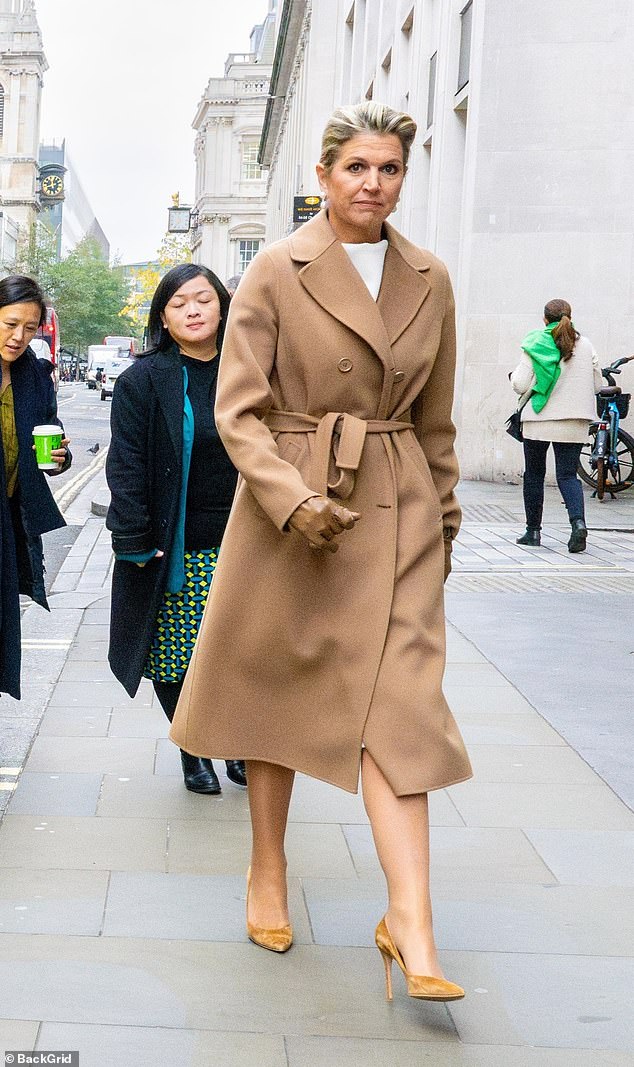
x,y
145,473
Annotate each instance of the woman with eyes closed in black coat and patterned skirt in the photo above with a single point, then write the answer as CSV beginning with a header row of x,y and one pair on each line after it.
x,y
172,486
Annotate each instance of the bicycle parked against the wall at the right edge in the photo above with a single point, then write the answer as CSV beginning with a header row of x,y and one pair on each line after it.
x,y
607,464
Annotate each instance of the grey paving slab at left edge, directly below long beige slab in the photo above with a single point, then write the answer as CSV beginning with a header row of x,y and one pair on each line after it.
x,y
52,902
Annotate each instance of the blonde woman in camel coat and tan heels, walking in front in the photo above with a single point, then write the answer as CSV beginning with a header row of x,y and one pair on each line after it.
x,y
336,408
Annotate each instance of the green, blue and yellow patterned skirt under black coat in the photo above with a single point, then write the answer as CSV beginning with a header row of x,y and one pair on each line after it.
x,y
179,619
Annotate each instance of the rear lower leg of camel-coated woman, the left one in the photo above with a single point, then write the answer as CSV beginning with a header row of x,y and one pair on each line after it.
x,y
270,797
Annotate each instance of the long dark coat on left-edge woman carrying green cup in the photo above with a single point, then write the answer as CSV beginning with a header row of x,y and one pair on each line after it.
x,y
31,514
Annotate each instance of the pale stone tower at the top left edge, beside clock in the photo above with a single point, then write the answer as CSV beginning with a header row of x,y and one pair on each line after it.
x,y
23,65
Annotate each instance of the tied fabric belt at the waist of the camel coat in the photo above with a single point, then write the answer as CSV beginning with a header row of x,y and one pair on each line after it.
x,y
346,451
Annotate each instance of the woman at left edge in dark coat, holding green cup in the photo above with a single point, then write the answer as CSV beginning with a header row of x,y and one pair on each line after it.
x,y
27,506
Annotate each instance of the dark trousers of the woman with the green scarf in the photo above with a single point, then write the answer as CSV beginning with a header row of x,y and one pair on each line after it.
x,y
566,460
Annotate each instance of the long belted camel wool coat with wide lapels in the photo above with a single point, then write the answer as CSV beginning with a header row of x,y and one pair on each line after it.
x,y
304,658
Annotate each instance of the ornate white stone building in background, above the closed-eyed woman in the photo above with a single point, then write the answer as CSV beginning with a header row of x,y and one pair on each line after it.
x,y
230,205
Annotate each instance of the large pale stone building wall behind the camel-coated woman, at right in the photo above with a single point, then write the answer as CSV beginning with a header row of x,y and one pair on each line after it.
x,y
519,179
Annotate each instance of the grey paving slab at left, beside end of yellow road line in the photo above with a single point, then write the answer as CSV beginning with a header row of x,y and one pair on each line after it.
x,y
46,794
